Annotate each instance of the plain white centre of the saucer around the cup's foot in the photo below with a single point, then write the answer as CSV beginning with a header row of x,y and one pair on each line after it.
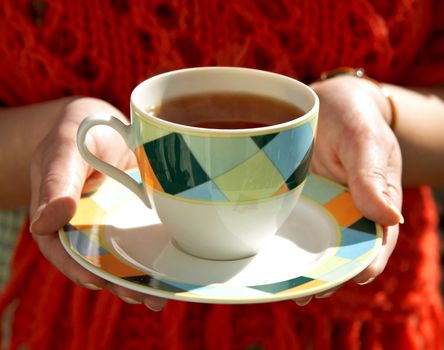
x,y
308,237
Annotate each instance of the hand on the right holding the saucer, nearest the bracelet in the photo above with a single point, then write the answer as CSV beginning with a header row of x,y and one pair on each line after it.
x,y
356,147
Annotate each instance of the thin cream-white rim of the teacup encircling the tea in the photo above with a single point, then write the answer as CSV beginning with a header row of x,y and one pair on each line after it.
x,y
307,116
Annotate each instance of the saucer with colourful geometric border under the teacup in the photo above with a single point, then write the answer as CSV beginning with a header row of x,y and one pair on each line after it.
x,y
325,242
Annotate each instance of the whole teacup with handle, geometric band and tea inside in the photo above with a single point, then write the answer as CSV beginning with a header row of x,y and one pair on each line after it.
x,y
221,191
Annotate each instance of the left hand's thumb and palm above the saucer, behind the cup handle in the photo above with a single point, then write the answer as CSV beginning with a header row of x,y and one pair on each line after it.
x,y
58,173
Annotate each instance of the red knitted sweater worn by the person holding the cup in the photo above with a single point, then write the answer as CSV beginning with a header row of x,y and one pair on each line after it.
x,y
55,48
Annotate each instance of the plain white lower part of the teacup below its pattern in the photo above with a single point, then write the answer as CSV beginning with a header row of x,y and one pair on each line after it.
x,y
224,231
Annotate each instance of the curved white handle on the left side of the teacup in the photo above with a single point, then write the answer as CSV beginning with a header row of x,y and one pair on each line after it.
x,y
100,165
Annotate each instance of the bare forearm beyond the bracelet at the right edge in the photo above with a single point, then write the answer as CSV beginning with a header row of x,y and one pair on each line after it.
x,y
420,132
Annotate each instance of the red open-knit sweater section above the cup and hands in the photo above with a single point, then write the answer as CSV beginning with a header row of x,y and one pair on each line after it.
x,y
104,48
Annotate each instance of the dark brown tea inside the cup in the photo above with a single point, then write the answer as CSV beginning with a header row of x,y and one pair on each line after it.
x,y
223,110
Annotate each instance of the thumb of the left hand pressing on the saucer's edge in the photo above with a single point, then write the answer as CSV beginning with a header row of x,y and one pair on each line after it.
x,y
58,174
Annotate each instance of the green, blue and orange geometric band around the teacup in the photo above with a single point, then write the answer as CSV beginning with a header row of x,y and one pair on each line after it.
x,y
222,169
